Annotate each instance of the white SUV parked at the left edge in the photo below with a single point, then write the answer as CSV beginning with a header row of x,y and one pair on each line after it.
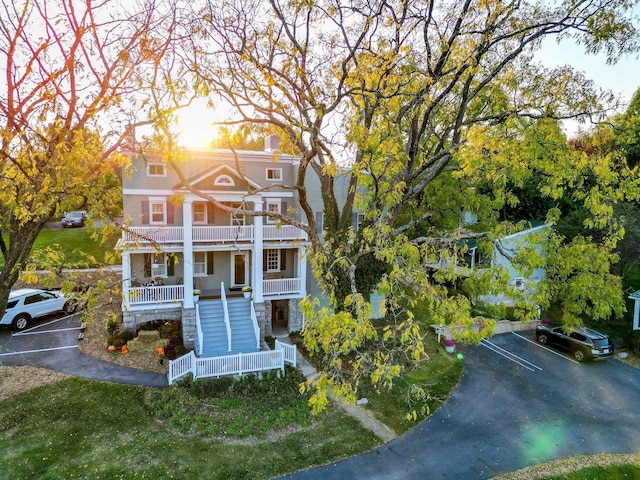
x,y
26,304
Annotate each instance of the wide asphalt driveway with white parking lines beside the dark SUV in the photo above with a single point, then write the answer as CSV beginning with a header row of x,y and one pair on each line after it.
x,y
516,405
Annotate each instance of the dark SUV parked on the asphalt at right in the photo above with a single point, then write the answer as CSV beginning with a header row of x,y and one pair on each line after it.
x,y
582,342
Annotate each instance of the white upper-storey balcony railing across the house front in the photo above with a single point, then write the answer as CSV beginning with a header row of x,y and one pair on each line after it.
x,y
244,233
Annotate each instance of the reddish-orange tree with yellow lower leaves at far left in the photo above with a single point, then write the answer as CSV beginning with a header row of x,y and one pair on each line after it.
x,y
72,73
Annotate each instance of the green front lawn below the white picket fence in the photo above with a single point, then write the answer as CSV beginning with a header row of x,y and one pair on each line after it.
x,y
81,428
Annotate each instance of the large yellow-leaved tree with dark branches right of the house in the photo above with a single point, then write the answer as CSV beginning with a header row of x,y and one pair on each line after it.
x,y
392,90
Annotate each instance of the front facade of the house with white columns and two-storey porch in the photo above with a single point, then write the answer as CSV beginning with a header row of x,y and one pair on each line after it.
x,y
175,242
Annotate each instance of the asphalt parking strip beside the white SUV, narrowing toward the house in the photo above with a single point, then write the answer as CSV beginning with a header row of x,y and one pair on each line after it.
x,y
53,344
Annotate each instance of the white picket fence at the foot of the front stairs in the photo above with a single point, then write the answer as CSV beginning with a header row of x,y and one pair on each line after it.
x,y
239,364
